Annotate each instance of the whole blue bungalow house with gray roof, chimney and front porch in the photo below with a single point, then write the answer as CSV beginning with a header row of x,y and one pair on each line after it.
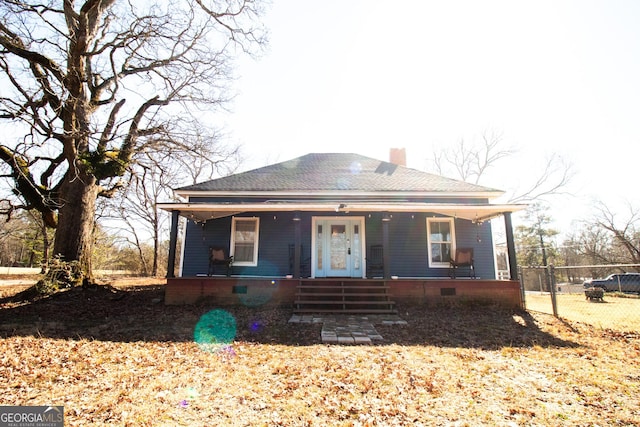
x,y
337,231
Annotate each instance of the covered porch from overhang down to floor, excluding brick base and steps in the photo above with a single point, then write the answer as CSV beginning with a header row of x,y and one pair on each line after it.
x,y
319,233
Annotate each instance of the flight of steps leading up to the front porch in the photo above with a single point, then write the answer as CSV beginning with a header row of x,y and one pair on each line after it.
x,y
343,296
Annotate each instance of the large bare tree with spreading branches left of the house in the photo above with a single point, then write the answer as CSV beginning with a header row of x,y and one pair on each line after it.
x,y
92,85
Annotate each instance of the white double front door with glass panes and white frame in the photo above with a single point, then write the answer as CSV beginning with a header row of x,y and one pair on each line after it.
x,y
338,247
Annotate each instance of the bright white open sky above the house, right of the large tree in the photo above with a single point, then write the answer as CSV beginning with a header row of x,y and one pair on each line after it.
x,y
552,76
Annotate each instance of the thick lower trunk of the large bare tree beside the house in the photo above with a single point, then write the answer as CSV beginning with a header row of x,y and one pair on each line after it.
x,y
74,235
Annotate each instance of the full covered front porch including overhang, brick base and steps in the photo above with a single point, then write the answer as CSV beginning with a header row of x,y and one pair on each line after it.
x,y
317,233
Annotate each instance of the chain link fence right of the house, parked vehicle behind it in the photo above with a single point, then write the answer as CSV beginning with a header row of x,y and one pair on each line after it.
x,y
561,291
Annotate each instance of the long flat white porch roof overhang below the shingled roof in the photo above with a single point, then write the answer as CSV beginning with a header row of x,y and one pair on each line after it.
x,y
202,212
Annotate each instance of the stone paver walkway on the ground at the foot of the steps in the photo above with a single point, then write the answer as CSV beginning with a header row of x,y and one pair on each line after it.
x,y
347,329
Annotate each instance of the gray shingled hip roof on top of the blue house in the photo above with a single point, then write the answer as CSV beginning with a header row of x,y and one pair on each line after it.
x,y
336,171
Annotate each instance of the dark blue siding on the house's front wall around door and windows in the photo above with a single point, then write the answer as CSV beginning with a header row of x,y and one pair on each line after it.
x,y
407,234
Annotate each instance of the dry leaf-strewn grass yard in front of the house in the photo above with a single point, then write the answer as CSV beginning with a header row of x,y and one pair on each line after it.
x,y
113,357
